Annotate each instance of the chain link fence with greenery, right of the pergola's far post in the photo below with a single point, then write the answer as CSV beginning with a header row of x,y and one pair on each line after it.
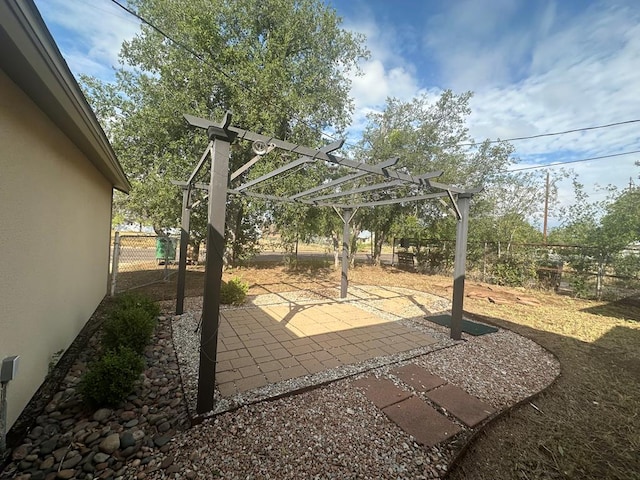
x,y
574,270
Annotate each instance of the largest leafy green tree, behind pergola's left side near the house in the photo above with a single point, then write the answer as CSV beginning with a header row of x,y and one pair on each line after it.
x,y
281,66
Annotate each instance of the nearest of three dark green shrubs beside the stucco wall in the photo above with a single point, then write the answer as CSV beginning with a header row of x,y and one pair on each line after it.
x,y
111,378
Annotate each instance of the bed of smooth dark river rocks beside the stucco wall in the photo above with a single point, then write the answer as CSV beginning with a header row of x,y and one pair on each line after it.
x,y
95,444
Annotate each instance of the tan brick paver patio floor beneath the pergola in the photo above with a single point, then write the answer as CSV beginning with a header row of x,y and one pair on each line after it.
x,y
272,343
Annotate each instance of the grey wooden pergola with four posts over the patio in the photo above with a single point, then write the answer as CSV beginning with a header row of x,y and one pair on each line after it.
x,y
220,136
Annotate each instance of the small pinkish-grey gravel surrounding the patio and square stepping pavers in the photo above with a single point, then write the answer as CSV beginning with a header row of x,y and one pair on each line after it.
x,y
333,431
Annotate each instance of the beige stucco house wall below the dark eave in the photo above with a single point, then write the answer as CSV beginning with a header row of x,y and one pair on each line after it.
x,y
55,210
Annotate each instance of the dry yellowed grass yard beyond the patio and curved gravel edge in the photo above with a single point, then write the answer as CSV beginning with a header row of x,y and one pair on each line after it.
x,y
586,426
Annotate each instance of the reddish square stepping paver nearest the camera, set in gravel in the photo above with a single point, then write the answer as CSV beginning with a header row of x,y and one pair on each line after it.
x,y
421,421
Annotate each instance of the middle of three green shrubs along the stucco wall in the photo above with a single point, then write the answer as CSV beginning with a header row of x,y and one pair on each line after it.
x,y
129,327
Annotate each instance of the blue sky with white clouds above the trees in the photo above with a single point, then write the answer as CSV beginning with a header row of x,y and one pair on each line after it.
x,y
534,67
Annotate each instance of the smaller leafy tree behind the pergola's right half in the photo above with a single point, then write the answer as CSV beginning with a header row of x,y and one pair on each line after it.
x,y
427,135
